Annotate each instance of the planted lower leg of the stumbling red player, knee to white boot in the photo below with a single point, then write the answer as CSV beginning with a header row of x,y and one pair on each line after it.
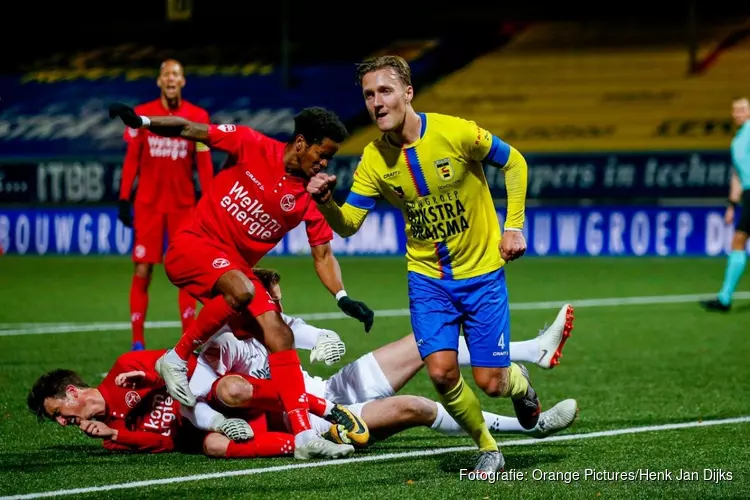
x,y
285,367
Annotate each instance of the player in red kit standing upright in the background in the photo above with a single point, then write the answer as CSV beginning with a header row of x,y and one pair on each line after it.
x,y
165,196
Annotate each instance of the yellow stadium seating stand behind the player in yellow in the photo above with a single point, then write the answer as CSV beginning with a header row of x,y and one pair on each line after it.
x,y
556,89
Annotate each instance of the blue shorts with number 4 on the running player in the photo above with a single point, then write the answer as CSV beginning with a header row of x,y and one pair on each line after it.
x,y
439,308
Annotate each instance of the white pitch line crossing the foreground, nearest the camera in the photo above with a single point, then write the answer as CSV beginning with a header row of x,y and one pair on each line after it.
x,y
372,458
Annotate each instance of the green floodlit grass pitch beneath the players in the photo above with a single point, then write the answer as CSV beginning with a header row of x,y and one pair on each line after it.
x,y
628,366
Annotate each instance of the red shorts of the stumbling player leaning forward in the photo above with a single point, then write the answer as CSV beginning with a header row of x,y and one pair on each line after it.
x,y
194,263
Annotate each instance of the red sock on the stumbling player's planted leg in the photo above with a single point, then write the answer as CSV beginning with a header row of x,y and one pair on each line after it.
x,y
287,372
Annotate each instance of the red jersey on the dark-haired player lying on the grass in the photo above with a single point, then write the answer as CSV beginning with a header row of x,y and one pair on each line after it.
x,y
146,417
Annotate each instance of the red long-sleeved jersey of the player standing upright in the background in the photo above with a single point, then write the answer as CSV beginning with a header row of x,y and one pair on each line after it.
x,y
164,165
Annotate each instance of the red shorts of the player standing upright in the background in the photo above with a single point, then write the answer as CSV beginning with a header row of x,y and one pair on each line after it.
x,y
151,227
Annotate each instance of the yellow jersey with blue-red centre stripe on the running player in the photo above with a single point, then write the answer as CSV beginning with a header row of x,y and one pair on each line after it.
x,y
438,182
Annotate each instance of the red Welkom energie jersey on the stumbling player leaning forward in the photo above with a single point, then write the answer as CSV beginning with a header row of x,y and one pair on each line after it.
x,y
255,202
